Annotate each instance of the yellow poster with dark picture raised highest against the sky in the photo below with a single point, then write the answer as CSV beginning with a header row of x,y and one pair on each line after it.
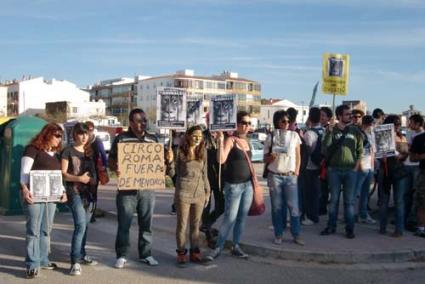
x,y
335,71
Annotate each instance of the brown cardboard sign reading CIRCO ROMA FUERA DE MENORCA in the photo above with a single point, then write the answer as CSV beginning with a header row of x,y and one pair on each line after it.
x,y
141,166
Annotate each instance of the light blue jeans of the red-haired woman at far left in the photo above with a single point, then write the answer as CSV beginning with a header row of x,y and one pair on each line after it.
x,y
38,227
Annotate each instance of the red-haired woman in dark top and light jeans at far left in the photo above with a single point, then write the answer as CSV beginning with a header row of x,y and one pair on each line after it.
x,y
40,154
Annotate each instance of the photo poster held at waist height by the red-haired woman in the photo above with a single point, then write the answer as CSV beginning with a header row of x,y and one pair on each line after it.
x,y
46,186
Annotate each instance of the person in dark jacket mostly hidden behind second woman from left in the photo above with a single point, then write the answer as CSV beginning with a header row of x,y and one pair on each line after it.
x,y
98,153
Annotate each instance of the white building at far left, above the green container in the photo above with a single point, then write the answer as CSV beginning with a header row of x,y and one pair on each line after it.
x,y
30,96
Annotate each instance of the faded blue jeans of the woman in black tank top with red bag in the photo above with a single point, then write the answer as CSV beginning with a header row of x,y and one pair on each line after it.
x,y
237,201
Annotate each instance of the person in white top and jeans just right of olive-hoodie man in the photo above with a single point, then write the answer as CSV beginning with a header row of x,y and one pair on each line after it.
x,y
365,173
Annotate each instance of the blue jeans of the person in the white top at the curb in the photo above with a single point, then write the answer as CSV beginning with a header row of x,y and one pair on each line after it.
x,y
284,194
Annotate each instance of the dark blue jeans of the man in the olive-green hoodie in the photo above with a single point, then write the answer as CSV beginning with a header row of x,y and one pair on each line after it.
x,y
345,180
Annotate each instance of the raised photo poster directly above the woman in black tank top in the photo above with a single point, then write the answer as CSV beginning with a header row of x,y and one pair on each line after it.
x,y
223,113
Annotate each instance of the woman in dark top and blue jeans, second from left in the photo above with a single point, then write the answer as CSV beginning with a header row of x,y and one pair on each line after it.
x,y
79,173
